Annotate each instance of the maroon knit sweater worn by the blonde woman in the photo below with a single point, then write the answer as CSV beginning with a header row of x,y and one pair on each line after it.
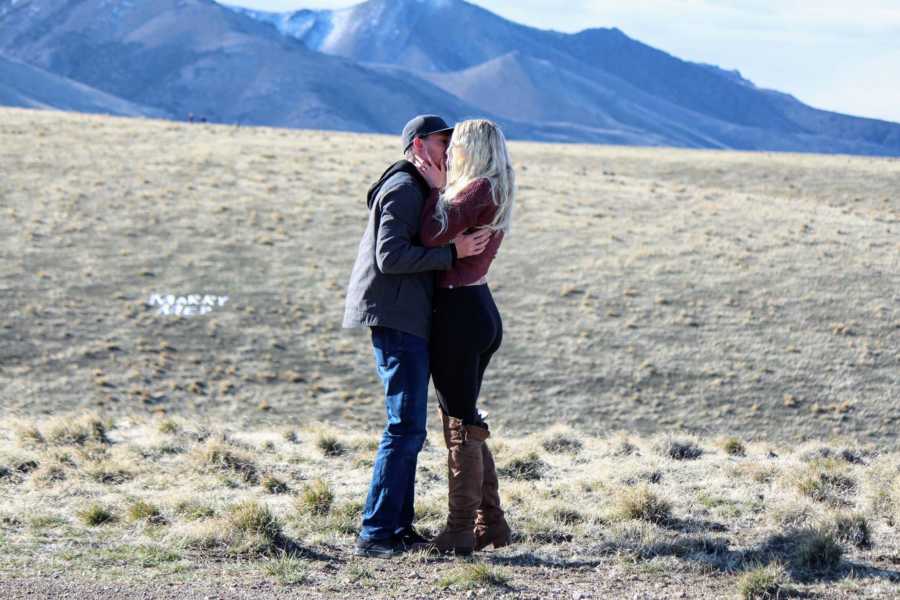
x,y
472,207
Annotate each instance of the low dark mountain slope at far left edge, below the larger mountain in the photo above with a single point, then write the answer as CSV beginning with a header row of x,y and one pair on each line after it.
x,y
26,86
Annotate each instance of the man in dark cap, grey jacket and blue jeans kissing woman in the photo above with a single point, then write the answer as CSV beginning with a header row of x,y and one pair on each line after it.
x,y
390,291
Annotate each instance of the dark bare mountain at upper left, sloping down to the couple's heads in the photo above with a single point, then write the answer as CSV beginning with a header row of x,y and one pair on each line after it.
x,y
196,56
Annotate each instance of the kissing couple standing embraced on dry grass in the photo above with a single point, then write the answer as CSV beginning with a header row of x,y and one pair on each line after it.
x,y
436,220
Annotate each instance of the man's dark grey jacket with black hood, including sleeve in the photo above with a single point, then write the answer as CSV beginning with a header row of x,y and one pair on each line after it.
x,y
392,282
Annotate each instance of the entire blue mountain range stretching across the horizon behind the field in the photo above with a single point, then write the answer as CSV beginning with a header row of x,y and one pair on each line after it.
x,y
370,67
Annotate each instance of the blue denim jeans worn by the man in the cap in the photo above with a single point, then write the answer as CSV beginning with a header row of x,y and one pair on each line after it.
x,y
401,360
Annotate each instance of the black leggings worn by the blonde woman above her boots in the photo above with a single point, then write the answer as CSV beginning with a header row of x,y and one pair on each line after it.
x,y
466,331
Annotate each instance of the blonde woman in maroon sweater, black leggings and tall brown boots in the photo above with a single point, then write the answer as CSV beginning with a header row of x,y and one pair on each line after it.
x,y
466,326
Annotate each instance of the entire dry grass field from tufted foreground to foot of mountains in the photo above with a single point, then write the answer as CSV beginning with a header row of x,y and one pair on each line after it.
x,y
657,303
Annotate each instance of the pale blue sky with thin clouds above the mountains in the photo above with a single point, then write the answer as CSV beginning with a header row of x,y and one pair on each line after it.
x,y
834,54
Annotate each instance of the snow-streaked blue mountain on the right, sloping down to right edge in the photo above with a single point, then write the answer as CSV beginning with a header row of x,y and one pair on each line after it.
x,y
598,79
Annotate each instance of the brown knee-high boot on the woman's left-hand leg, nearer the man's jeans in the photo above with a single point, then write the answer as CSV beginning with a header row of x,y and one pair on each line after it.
x,y
465,474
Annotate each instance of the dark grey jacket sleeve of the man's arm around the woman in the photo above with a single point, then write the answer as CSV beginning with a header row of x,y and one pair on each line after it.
x,y
395,253
